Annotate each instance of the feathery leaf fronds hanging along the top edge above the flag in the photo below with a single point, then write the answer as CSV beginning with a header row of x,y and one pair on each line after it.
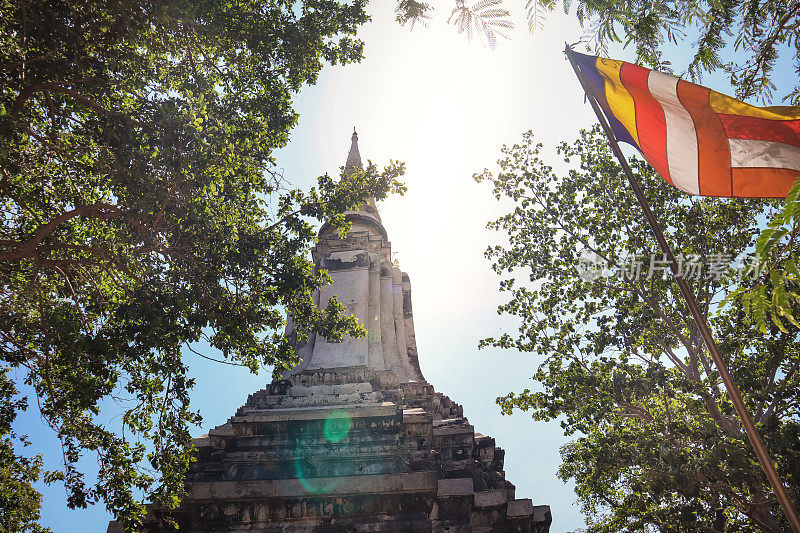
x,y
761,33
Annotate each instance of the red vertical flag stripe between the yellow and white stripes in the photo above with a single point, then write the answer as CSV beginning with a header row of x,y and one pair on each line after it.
x,y
650,124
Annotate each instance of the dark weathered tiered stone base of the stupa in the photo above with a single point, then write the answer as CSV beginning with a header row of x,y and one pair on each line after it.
x,y
350,450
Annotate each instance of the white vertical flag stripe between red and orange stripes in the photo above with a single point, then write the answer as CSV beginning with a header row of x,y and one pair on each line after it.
x,y
681,134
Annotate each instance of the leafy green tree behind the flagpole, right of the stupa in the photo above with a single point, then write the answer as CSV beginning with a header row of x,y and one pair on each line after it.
x,y
657,444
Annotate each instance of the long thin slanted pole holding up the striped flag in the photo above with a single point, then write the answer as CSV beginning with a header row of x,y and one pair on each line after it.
x,y
752,432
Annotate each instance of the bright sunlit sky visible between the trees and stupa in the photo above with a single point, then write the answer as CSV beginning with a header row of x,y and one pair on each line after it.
x,y
444,106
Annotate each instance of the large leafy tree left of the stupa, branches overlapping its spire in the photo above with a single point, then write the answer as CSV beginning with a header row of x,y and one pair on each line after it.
x,y
142,212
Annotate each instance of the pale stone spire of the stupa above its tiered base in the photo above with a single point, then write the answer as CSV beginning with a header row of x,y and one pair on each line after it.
x,y
375,290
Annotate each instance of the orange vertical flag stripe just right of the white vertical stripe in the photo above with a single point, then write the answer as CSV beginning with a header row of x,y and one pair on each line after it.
x,y
713,153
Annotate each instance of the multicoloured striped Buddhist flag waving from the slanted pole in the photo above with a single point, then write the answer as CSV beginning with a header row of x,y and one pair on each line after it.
x,y
699,140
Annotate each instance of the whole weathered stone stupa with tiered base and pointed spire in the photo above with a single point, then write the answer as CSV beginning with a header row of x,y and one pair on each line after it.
x,y
354,438
